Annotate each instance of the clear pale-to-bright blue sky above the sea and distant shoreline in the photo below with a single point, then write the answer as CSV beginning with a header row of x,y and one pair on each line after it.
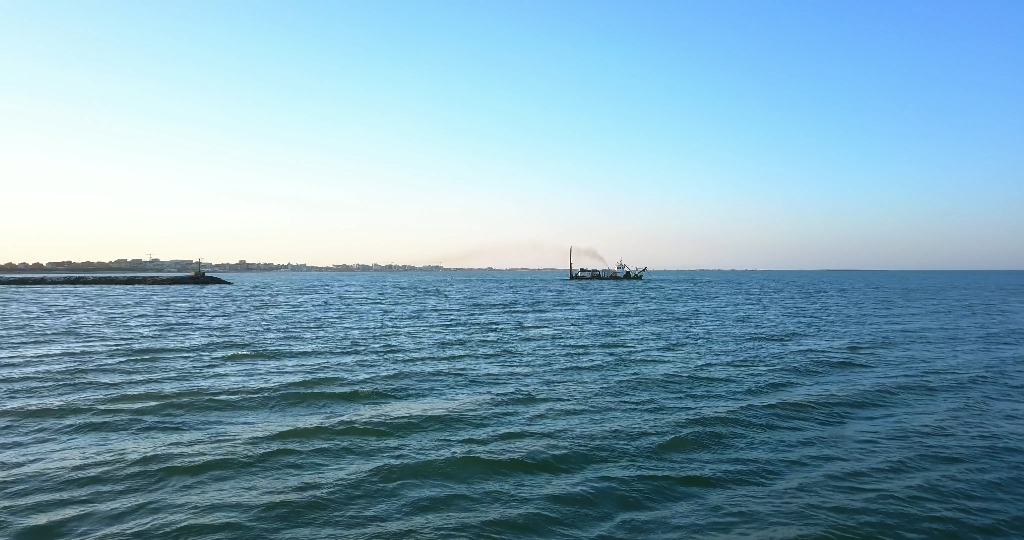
x,y
679,135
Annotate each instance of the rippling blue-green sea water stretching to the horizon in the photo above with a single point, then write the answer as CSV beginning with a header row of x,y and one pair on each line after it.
x,y
517,405
